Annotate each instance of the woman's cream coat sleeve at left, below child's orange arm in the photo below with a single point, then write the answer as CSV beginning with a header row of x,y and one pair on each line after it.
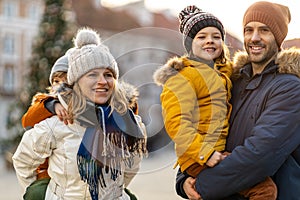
x,y
34,148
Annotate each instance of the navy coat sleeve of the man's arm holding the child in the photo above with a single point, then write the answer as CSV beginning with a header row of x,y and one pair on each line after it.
x,y
273,138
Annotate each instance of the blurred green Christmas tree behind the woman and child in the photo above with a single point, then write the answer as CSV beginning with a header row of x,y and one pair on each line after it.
x,y
52,41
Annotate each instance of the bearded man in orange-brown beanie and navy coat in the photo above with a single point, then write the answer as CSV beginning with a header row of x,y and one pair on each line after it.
x,y
264,137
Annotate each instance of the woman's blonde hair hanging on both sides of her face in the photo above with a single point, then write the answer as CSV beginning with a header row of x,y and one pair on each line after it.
x,y
77,101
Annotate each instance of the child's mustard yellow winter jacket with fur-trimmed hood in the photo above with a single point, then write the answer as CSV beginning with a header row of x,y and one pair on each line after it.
x,y
195,107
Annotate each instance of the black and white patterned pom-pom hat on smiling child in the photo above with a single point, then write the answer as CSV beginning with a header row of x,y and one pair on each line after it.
x,y
192,20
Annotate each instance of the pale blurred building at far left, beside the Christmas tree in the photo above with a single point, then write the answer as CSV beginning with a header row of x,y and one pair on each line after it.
x,y
19,20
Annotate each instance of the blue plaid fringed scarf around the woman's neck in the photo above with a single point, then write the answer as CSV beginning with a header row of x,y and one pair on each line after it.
x,y
109,140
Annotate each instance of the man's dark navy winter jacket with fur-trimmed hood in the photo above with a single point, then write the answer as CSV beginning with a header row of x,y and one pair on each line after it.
x,y
264,133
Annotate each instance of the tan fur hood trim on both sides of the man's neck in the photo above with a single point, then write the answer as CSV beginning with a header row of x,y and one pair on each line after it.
x,y
288,61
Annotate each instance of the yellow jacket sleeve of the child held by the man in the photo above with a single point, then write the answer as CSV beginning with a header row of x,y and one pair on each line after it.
x,y
180,110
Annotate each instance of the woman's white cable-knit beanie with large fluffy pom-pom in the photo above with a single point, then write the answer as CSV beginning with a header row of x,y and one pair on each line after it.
x,y
89,53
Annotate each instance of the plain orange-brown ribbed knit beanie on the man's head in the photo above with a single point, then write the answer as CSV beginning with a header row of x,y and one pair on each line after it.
x,y
275,16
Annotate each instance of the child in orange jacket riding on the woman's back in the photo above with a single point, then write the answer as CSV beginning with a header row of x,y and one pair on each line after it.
x,y
43,106
